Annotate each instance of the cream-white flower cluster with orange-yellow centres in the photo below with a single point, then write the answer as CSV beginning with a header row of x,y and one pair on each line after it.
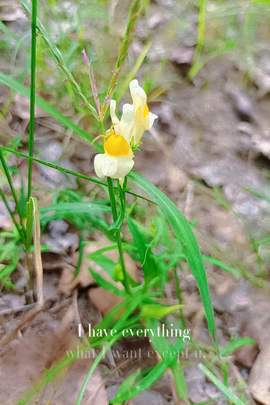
x,y
117,160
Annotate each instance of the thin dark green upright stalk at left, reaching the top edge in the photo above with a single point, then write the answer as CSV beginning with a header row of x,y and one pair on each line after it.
x,y
32,96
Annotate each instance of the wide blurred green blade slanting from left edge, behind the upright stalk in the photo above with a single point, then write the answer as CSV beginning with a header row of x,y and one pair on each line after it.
x,y
16,86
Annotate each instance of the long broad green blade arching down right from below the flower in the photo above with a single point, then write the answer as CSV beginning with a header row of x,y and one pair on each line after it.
x,y
185,236
